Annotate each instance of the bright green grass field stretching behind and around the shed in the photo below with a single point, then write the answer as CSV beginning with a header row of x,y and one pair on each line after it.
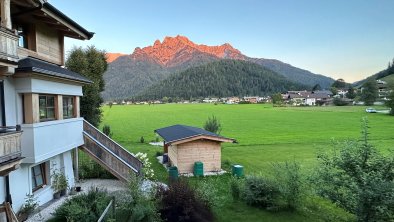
x,y
264,134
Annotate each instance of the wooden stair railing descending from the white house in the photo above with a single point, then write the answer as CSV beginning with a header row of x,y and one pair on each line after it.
x,y
119,161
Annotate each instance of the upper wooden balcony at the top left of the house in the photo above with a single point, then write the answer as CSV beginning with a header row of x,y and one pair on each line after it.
x,y
8,45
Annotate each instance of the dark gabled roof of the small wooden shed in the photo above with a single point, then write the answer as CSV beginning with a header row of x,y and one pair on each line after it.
x,y
177,133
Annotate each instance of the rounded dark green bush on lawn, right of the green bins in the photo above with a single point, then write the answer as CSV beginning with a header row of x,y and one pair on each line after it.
x,y
260,192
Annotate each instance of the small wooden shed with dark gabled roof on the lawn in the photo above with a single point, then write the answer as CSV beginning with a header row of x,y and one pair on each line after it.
x,y
186,145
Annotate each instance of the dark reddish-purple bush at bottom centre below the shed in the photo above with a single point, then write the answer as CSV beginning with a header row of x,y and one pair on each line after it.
x,y
181,203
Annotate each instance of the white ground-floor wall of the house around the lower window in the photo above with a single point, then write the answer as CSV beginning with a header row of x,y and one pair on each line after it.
x,y
21,184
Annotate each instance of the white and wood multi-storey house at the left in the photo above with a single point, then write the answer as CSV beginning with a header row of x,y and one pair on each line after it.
x,y
39,100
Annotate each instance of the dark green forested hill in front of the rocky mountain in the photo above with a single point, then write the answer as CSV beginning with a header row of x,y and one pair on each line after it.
x,y
220,79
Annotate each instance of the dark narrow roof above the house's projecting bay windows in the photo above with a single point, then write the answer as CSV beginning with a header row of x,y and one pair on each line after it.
x,y
41,67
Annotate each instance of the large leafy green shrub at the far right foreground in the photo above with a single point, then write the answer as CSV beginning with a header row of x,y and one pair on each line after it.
x,y
356,176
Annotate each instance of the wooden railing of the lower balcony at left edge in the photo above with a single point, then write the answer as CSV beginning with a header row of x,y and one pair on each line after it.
x,y
10,143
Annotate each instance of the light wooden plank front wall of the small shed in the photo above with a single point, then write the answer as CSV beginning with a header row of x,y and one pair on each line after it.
x,y
206,151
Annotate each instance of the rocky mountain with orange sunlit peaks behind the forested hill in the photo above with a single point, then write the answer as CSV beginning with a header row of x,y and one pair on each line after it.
x,y
128,75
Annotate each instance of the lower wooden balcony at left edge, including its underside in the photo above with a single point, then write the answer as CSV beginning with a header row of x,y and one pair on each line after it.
x,y
10,149
